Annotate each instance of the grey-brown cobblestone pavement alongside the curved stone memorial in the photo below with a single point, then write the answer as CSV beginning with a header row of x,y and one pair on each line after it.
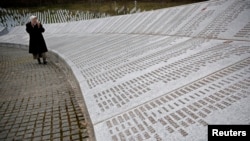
x,y
36,101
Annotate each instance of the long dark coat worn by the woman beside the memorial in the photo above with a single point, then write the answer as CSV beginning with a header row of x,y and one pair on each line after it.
x,y
37,44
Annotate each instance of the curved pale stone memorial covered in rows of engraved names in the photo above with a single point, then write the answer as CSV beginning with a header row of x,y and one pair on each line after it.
x,y
162,74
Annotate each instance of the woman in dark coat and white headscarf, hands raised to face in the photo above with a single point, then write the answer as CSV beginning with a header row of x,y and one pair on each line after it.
x,y
37,45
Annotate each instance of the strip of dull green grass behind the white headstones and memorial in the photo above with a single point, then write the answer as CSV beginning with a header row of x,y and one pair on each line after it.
x,y
107,7
